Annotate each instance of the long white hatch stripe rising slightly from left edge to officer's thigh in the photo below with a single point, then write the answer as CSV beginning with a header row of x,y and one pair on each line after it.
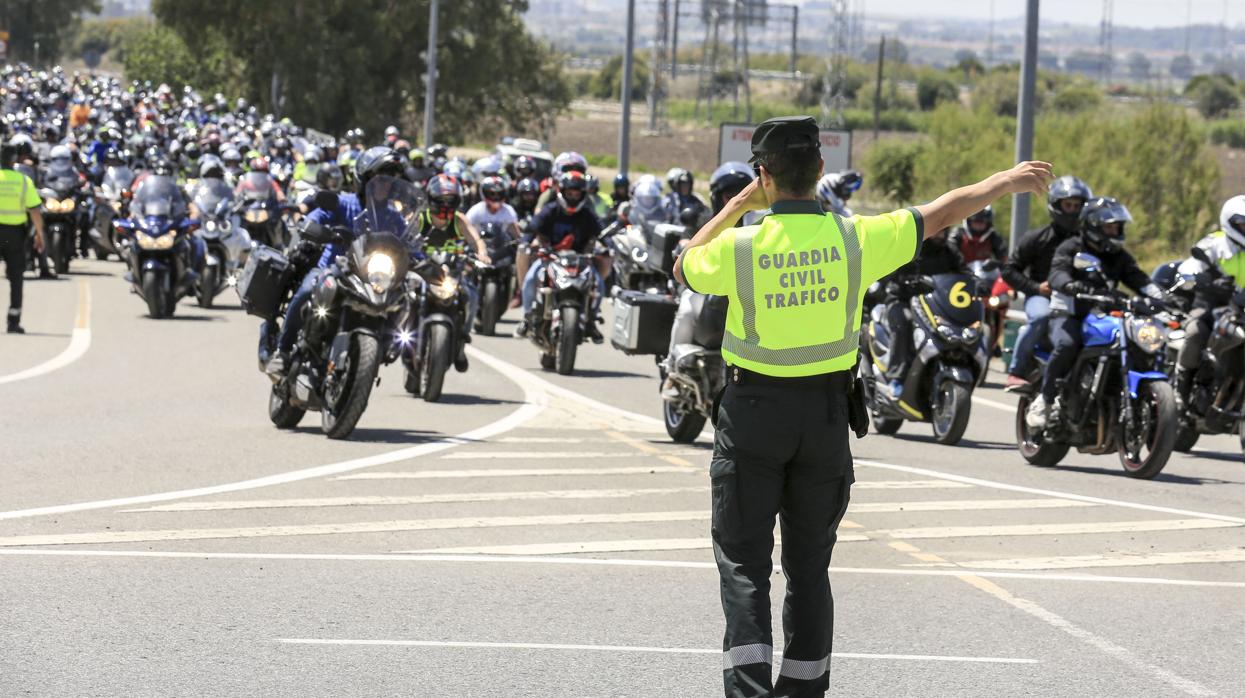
x,y
354,528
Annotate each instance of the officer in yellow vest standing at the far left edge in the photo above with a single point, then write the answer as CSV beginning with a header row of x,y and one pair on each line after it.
x,y
19,201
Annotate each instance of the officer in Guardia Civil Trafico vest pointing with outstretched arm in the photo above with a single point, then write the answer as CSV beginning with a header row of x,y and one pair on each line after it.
x,y
795,284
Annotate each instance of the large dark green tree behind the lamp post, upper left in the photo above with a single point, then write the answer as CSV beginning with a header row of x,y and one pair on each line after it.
x,y
337,64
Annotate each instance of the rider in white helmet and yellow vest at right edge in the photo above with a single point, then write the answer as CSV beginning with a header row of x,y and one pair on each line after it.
x,y
1218,281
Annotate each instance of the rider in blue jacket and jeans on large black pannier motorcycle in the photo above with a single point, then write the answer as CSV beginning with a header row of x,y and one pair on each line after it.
x,y
372,164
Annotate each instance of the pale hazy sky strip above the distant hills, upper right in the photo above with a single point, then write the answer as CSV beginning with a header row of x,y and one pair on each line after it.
x,y
1132,13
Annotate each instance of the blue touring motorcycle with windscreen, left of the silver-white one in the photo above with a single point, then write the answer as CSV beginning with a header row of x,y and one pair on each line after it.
x,y
160,253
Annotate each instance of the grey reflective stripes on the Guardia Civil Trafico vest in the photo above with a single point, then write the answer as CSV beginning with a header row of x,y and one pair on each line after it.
x,y
749,347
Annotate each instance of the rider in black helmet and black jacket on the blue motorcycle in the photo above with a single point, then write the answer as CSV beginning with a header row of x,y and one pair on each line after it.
x,y
1102,235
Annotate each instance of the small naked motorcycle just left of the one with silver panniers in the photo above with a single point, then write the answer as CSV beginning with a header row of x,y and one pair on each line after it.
x,y
567,293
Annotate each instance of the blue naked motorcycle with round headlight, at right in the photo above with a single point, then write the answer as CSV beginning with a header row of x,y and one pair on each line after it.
x,y
1116,396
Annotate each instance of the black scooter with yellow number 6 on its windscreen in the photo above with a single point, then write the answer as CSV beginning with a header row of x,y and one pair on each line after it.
x,y
949,359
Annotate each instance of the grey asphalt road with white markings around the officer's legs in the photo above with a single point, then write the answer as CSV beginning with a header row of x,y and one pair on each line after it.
x,y
540,536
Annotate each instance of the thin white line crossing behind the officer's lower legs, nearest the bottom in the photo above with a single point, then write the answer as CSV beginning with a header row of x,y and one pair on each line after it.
x,y
618,649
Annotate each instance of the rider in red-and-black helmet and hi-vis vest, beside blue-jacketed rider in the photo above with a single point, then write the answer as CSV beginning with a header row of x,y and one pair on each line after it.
x,y
445,228
